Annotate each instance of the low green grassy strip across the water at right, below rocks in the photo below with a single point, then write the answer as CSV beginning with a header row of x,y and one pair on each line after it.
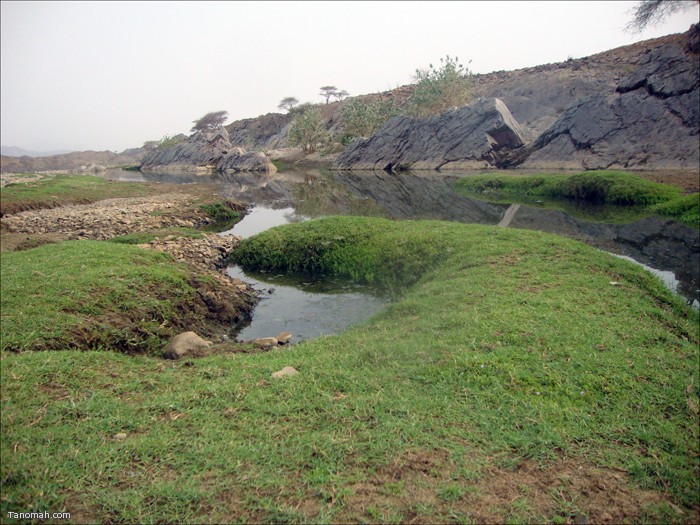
x,y
610,188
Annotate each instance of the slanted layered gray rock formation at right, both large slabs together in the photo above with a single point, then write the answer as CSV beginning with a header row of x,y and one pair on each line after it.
x,y
648,119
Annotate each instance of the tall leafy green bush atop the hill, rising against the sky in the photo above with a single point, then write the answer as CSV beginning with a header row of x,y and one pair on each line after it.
x,y
439,89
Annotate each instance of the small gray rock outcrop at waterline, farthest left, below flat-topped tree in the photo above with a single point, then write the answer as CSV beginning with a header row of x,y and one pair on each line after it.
x,y
206,152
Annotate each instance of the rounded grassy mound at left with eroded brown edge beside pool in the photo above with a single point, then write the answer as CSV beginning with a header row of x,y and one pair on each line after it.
x,y
100,295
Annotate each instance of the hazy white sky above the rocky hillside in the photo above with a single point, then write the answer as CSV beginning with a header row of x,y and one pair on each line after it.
x,y
112,75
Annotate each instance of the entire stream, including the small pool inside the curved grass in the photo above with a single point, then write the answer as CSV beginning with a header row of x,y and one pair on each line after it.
x,y
312,306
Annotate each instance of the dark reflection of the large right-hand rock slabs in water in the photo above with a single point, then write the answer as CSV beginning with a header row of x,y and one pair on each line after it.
x,y
659,243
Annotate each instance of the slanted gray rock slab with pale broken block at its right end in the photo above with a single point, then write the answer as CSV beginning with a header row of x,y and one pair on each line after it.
x,y
473,136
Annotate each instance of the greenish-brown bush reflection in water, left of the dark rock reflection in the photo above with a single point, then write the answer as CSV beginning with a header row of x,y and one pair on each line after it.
x,y
321,195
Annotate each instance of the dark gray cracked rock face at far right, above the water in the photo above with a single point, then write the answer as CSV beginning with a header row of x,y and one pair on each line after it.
x,y
651,121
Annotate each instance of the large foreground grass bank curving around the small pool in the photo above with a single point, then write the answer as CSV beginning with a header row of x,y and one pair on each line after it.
x,y
519,377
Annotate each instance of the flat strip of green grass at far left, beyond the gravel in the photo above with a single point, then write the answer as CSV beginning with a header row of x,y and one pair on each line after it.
x,y
65,189
